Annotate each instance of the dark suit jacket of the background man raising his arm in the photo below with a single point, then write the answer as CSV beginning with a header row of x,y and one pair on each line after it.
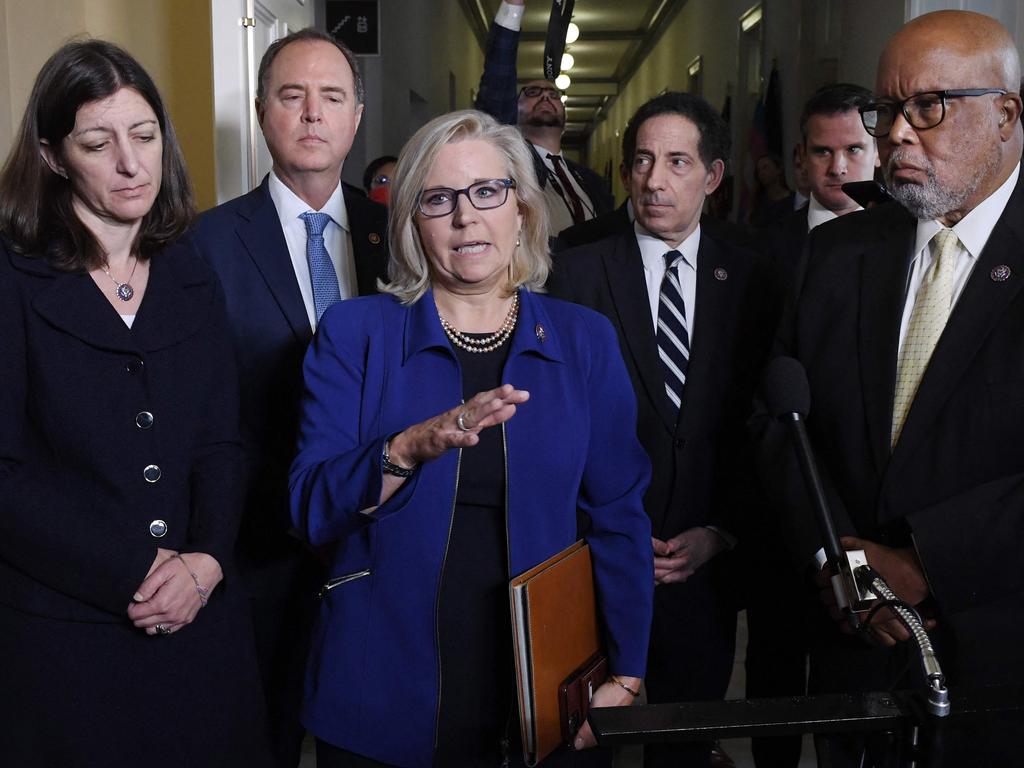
x,y
498,97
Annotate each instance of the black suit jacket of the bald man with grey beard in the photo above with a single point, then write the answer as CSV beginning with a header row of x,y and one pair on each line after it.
x,y
954,487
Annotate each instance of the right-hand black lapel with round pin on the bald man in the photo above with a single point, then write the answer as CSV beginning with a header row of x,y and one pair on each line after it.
x,y
980,307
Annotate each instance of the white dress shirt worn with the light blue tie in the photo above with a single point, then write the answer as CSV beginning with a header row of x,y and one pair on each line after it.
x,y
337,241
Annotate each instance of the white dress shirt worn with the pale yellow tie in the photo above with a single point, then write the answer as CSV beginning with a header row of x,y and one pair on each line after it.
x,y
973,231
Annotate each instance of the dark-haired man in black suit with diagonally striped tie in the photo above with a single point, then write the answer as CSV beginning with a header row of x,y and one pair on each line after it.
x,y
694,399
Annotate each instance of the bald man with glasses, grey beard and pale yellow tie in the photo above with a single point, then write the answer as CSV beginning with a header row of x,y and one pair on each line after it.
x,y
911,325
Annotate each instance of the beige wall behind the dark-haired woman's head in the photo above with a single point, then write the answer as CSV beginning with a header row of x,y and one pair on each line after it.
x,y
170,38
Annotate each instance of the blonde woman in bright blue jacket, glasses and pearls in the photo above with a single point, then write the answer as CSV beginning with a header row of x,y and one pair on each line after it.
x,y
454,432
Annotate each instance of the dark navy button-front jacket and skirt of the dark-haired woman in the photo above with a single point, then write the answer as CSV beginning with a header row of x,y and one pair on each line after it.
x,y
80,499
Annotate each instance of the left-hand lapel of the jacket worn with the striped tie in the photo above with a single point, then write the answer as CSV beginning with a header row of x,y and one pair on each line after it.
x,y
629,293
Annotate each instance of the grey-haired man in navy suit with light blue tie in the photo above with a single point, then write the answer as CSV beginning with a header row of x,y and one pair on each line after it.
x,y
284,253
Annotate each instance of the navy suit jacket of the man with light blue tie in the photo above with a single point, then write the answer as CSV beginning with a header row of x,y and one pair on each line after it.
x,y
243,240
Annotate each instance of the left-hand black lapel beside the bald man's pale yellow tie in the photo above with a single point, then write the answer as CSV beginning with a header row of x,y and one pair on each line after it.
x,y
883,292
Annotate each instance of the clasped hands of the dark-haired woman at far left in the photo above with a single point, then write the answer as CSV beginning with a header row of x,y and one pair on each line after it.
x,y
168,596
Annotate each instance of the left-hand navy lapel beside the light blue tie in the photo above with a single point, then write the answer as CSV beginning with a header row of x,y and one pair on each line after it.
x,y
262,235
